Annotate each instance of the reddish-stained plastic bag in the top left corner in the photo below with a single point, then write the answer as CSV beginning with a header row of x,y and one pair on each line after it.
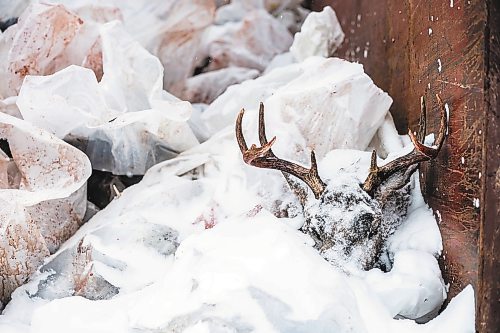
x,y
46,39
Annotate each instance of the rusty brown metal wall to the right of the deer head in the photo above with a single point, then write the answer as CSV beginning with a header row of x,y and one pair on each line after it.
x,y
414,48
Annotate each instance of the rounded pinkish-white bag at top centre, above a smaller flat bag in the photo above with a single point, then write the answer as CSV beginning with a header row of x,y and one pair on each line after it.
x,y
250,43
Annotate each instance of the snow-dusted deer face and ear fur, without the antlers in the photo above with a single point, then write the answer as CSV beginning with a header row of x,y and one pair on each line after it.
x,y
349,227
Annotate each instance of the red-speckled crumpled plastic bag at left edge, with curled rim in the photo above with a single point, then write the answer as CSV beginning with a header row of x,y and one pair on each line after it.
x,y
42,199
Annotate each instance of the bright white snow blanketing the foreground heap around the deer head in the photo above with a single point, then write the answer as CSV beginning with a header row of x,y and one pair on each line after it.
x,y
235,263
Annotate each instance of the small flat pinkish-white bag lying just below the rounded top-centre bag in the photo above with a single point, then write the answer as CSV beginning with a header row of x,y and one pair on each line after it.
x,y
206,87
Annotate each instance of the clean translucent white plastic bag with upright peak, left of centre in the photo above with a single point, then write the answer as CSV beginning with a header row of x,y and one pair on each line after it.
x,y
126,122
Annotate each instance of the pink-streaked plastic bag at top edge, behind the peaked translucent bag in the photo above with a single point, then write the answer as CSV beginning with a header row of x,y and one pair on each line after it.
x,y
169,29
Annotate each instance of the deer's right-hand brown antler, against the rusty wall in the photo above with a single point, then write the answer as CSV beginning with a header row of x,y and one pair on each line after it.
x,y
419,153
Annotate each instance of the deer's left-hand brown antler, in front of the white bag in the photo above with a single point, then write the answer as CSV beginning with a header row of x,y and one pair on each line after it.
x,y
263,156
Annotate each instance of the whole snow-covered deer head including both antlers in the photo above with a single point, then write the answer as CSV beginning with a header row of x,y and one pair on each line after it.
x,y
349,221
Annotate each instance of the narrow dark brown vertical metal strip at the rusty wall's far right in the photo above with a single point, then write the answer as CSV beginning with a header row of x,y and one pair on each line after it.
x,y
489,287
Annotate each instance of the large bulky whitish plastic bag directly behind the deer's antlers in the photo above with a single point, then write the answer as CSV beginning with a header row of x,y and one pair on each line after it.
x,y
333,103
